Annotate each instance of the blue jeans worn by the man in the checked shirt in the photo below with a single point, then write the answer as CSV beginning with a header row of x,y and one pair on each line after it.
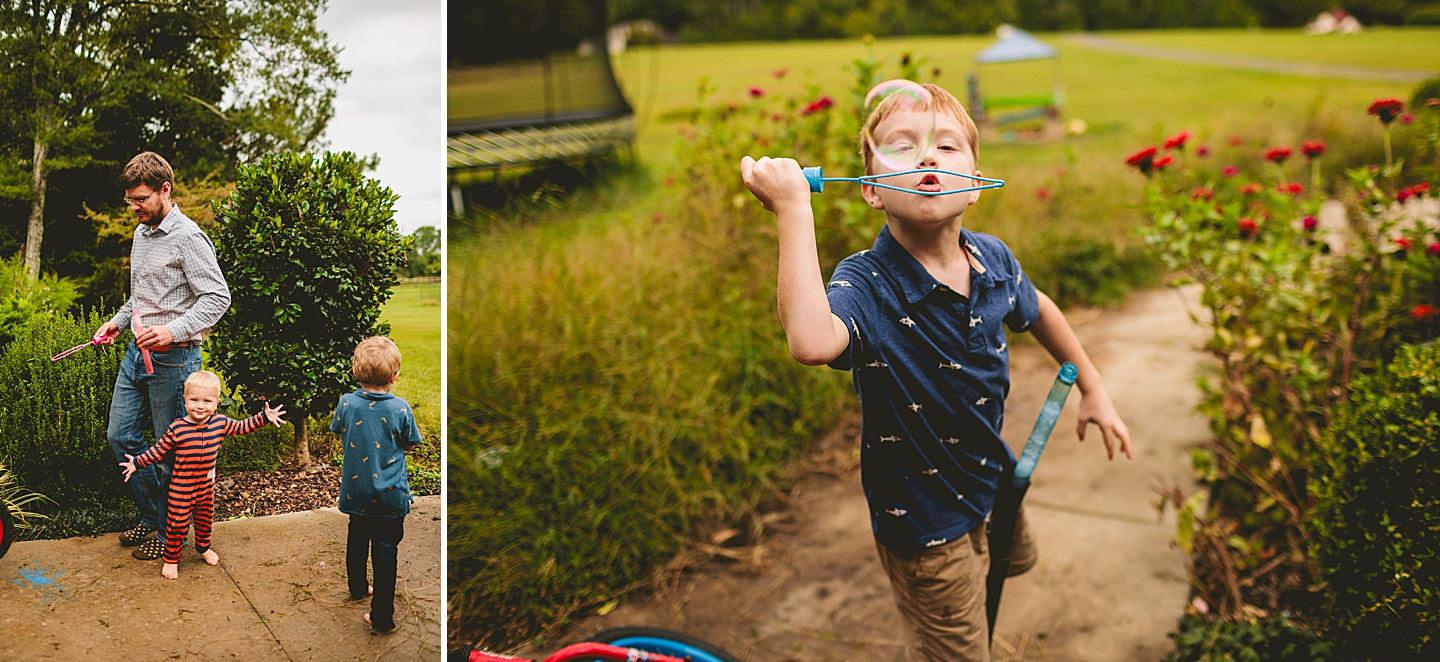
x,y
149,404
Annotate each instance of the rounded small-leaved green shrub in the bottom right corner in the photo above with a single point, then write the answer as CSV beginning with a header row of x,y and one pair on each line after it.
x,y
1377,513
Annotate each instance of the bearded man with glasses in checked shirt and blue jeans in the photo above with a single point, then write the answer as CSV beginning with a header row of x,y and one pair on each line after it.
x,y
179,293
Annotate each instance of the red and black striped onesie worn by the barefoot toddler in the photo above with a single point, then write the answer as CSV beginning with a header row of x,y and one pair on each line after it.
x,y
192,484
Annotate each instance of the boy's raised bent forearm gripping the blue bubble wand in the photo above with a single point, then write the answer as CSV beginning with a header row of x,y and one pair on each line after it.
x,y
814,333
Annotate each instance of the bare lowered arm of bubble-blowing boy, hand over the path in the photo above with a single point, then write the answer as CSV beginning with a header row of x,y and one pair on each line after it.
x,y
1056,336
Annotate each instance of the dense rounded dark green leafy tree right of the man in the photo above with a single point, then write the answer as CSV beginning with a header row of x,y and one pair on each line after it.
x,y
312,251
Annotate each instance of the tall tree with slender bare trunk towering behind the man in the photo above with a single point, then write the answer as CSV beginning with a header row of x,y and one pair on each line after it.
x,y
86,84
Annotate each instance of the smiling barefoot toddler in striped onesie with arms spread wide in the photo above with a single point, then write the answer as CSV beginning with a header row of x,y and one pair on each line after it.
x,y
197,443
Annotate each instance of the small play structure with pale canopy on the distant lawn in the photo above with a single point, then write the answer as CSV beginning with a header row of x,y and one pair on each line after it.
x,y
1019,110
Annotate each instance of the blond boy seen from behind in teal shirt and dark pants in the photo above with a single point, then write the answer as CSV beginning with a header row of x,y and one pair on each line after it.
x,y
377,428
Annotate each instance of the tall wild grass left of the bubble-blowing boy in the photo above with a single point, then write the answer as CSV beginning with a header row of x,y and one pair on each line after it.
x,y
616,389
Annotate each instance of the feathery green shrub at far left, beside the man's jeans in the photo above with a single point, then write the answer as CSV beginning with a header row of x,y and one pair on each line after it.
x,y
54,414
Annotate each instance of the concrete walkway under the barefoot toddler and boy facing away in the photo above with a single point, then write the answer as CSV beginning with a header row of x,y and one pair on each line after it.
x,y
279,595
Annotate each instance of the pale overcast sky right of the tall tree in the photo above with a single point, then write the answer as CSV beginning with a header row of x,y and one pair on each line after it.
x,y
394,103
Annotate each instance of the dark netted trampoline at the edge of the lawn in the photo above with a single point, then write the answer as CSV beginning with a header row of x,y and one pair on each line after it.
x,y
536,110
